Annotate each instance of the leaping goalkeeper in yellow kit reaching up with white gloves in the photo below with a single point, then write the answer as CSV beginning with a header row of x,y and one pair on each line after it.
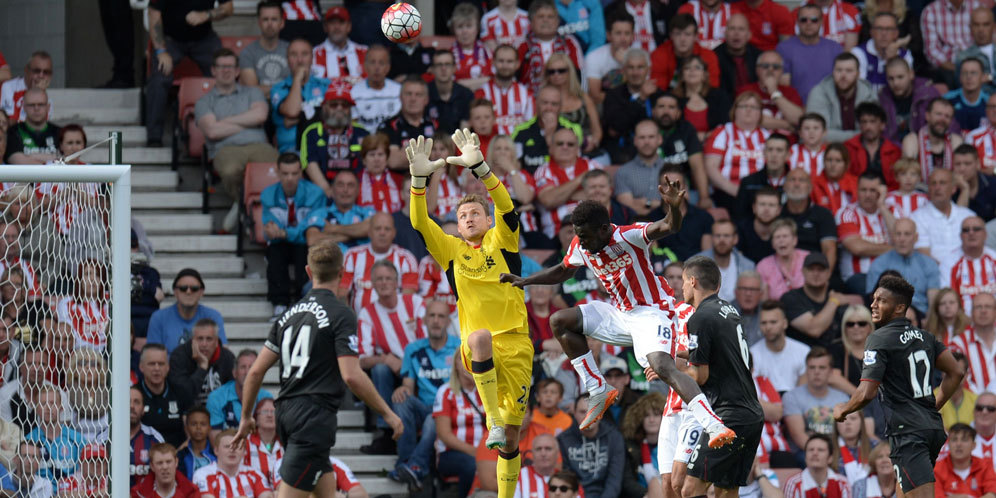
x,y
494,333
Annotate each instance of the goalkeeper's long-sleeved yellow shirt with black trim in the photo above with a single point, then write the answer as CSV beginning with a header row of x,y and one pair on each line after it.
x,y
482,301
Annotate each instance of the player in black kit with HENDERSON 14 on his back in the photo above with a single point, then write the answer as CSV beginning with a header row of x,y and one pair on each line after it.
x,y
315,342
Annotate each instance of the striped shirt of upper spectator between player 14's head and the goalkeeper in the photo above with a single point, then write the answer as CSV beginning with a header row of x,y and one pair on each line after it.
x,y
358,263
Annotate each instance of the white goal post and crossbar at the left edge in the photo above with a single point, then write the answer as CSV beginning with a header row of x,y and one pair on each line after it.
x,y
115,214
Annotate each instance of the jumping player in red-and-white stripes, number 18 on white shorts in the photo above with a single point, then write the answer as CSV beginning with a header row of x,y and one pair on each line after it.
x,y
620,257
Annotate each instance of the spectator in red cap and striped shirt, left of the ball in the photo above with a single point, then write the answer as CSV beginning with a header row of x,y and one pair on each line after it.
x,y
338,56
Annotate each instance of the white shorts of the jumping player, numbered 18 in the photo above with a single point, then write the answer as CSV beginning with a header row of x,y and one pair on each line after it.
x,y
647,329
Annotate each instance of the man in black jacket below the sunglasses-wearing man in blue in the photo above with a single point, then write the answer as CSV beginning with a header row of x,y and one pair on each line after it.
x,y
201,365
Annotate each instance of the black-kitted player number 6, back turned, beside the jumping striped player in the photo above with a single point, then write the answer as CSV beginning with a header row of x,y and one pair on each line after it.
x,y
719,360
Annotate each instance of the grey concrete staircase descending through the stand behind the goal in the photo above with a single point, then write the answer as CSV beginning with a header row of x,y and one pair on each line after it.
x,y
168,204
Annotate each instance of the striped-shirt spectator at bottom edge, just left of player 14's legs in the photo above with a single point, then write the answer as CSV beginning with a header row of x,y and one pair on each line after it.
x,y
227,477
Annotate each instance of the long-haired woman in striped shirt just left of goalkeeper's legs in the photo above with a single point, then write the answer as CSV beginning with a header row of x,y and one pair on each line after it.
x,y
460,426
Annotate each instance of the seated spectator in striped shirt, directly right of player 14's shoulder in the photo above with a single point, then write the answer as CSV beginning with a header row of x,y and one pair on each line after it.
x,y
393,320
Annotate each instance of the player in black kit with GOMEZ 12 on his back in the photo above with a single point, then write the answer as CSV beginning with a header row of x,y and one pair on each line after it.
x,y
898,363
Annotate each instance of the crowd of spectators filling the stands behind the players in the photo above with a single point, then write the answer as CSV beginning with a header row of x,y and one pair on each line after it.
x,y
821,149
